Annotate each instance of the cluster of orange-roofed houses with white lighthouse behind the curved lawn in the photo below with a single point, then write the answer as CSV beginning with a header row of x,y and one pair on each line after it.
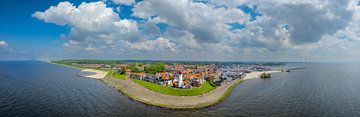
x,y
179,75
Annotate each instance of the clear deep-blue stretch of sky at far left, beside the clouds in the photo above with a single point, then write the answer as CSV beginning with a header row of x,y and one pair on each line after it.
x,y
23,33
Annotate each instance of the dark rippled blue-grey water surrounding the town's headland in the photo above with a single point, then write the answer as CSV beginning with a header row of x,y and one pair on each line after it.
x,y
30,88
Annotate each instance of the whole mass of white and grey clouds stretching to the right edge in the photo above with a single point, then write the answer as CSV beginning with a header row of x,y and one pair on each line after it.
x,y
198,28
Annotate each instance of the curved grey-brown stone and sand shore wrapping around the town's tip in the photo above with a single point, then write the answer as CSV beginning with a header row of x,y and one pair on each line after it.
x,y
148,97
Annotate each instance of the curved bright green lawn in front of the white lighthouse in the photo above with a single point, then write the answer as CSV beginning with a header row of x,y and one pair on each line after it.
x,y
204,88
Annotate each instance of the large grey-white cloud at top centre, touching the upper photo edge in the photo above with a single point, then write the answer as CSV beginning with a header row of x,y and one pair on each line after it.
x,y
206,22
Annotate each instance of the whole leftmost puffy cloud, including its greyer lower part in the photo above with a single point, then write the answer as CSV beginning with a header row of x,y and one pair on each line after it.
x,y
94,26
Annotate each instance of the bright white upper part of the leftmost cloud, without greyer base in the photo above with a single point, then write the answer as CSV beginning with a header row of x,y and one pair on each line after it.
x,y
94,16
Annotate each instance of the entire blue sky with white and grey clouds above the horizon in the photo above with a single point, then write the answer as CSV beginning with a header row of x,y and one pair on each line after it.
x,y
198,30
